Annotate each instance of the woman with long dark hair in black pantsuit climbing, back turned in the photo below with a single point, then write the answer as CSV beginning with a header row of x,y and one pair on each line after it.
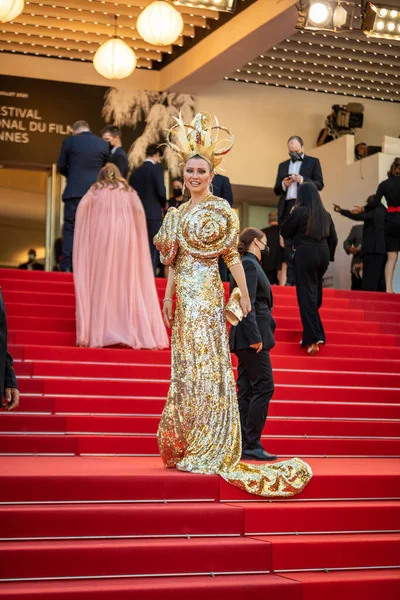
x,y
314,240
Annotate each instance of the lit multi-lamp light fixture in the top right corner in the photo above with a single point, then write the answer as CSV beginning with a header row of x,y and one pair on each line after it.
x,y
381,21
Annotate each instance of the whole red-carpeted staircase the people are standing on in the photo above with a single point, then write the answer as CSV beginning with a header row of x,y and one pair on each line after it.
x,y
88,512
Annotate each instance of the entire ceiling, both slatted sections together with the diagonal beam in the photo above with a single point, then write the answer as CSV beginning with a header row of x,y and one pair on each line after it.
x,y
213,46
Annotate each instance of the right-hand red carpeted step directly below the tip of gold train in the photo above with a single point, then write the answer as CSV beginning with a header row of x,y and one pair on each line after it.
x,y
313,517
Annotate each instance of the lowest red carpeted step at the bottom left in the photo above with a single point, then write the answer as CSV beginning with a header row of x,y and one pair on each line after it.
x,y
234,587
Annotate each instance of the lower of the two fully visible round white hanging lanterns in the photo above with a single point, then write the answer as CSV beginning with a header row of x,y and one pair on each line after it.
x,y
115,59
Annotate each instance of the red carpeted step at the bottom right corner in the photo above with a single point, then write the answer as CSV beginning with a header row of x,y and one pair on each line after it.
x,y
348,585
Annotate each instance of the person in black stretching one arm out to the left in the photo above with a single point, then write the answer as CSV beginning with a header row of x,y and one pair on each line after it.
x,y
373,249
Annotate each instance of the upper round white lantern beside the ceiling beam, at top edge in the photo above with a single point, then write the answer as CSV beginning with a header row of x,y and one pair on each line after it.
x,y
160,23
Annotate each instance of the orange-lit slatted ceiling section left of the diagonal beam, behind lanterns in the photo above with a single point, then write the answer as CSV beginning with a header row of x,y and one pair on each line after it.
x,y
75,29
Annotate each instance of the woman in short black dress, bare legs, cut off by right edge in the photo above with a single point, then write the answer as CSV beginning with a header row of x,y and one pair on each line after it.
x,y
390,190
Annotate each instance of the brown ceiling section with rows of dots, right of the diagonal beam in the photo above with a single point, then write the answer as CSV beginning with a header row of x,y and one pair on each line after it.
x,y
346,63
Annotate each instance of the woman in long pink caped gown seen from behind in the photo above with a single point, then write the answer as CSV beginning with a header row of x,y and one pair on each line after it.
x,y
116,296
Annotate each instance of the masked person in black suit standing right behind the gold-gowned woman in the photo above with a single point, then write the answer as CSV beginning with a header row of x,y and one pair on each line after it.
x,y
251,340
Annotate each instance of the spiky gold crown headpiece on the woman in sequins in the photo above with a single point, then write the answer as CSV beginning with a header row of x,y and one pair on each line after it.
x,y
200,137
